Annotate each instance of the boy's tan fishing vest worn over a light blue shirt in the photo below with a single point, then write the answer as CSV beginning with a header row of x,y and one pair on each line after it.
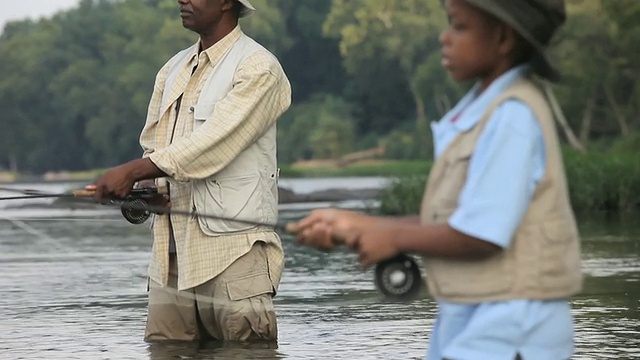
x,y
543,261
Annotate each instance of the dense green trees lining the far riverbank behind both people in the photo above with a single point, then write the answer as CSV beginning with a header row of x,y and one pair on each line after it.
x,y
366,73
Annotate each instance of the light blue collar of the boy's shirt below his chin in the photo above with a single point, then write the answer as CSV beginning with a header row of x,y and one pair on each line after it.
x,y
474,105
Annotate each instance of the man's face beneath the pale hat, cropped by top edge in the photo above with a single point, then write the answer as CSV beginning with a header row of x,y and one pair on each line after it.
x,y
202,16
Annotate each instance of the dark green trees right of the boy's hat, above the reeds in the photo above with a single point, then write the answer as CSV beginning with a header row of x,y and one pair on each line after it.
x,y
599,91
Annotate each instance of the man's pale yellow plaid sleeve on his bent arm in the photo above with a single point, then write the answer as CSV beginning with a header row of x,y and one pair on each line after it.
x,y
261,93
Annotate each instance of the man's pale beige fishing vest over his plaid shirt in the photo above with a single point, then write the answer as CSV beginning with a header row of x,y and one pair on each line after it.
x,y
244,192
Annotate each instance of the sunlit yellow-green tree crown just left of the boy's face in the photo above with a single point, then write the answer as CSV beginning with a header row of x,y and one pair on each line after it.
x,y
403,32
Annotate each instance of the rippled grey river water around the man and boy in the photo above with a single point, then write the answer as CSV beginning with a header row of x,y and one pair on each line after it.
x,y
73,287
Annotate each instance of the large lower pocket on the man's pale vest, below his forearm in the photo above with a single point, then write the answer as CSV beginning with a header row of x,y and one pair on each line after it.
x,y
237,197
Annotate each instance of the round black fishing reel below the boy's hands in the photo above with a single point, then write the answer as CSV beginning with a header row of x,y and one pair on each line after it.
x,y
399,278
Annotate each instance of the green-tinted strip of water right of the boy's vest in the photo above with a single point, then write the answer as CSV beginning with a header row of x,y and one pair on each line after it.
x,y
608,310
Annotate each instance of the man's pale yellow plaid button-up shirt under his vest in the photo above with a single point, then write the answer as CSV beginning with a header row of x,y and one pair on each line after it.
x,y
261,93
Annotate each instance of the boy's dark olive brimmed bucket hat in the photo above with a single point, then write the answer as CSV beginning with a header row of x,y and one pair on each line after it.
x,y
535,20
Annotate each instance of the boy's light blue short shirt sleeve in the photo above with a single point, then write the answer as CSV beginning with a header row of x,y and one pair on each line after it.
x,y
504,171
